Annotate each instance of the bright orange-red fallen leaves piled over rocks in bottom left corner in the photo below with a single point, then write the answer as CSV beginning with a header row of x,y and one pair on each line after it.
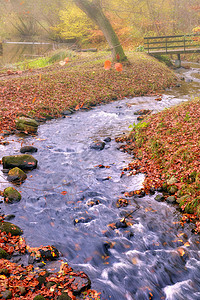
x,y
24,282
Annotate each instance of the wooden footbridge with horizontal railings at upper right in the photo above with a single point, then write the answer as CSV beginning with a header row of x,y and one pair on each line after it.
x,y
173,44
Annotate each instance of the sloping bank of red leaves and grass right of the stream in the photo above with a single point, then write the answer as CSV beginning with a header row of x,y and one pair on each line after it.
x,y
166,147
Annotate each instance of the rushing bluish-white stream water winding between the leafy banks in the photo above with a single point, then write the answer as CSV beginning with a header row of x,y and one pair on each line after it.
x,y
142,261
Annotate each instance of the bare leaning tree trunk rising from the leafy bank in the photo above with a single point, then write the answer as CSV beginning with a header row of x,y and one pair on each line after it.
x,y
94,11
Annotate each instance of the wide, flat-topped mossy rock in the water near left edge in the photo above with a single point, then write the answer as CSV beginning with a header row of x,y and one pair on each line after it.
x,y
23,161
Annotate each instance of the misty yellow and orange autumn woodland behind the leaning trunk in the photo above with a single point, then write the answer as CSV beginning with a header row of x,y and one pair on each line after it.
x,y
62,20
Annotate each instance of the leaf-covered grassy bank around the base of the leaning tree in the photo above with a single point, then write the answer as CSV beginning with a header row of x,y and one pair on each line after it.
x,y
80,83
